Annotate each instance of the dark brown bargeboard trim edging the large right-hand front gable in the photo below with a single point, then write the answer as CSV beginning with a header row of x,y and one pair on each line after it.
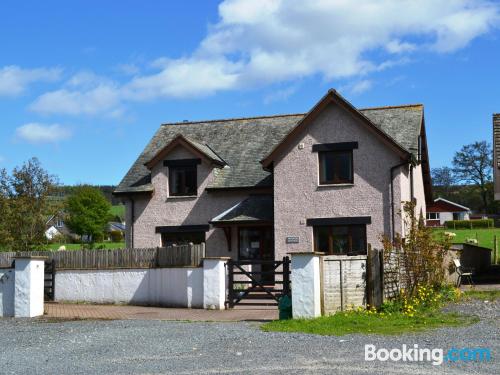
x,y
333,97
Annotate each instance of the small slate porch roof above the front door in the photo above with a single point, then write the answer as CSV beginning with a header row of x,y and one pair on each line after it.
x,y
254,208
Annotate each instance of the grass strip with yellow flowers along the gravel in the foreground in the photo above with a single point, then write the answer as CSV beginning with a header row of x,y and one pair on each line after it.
x,y
348,323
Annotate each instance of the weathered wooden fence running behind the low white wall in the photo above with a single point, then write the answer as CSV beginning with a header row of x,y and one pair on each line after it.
x,y
160,257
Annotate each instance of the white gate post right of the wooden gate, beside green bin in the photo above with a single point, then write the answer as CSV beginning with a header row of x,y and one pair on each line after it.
x,y
306,287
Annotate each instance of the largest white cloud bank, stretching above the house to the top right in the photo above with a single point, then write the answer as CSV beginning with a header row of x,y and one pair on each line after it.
x,y
259,43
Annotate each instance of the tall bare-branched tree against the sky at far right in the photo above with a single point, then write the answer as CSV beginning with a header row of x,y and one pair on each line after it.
x,y
474,164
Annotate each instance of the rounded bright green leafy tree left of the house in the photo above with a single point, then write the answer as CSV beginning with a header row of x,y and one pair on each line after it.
x,y
88,212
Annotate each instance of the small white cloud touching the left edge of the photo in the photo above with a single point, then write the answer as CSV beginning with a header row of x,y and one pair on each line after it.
x,y
14,80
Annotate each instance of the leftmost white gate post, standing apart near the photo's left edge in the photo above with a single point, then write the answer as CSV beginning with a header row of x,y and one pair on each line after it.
x,y
28,286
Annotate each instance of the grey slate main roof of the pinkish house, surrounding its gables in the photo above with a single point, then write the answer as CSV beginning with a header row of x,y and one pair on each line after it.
x,y
243,142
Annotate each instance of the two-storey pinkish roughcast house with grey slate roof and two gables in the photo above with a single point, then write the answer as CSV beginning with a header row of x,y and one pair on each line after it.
x,y
331,180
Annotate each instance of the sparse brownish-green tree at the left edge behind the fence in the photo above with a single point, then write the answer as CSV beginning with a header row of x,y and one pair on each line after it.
x,y
23,203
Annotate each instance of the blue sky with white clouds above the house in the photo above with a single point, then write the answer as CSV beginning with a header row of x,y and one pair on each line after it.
x,y
85,84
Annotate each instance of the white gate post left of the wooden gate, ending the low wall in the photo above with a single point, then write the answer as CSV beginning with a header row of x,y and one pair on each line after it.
x,y
214,283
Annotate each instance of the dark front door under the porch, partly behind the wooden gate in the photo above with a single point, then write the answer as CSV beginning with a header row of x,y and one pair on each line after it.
x,y
257,244
